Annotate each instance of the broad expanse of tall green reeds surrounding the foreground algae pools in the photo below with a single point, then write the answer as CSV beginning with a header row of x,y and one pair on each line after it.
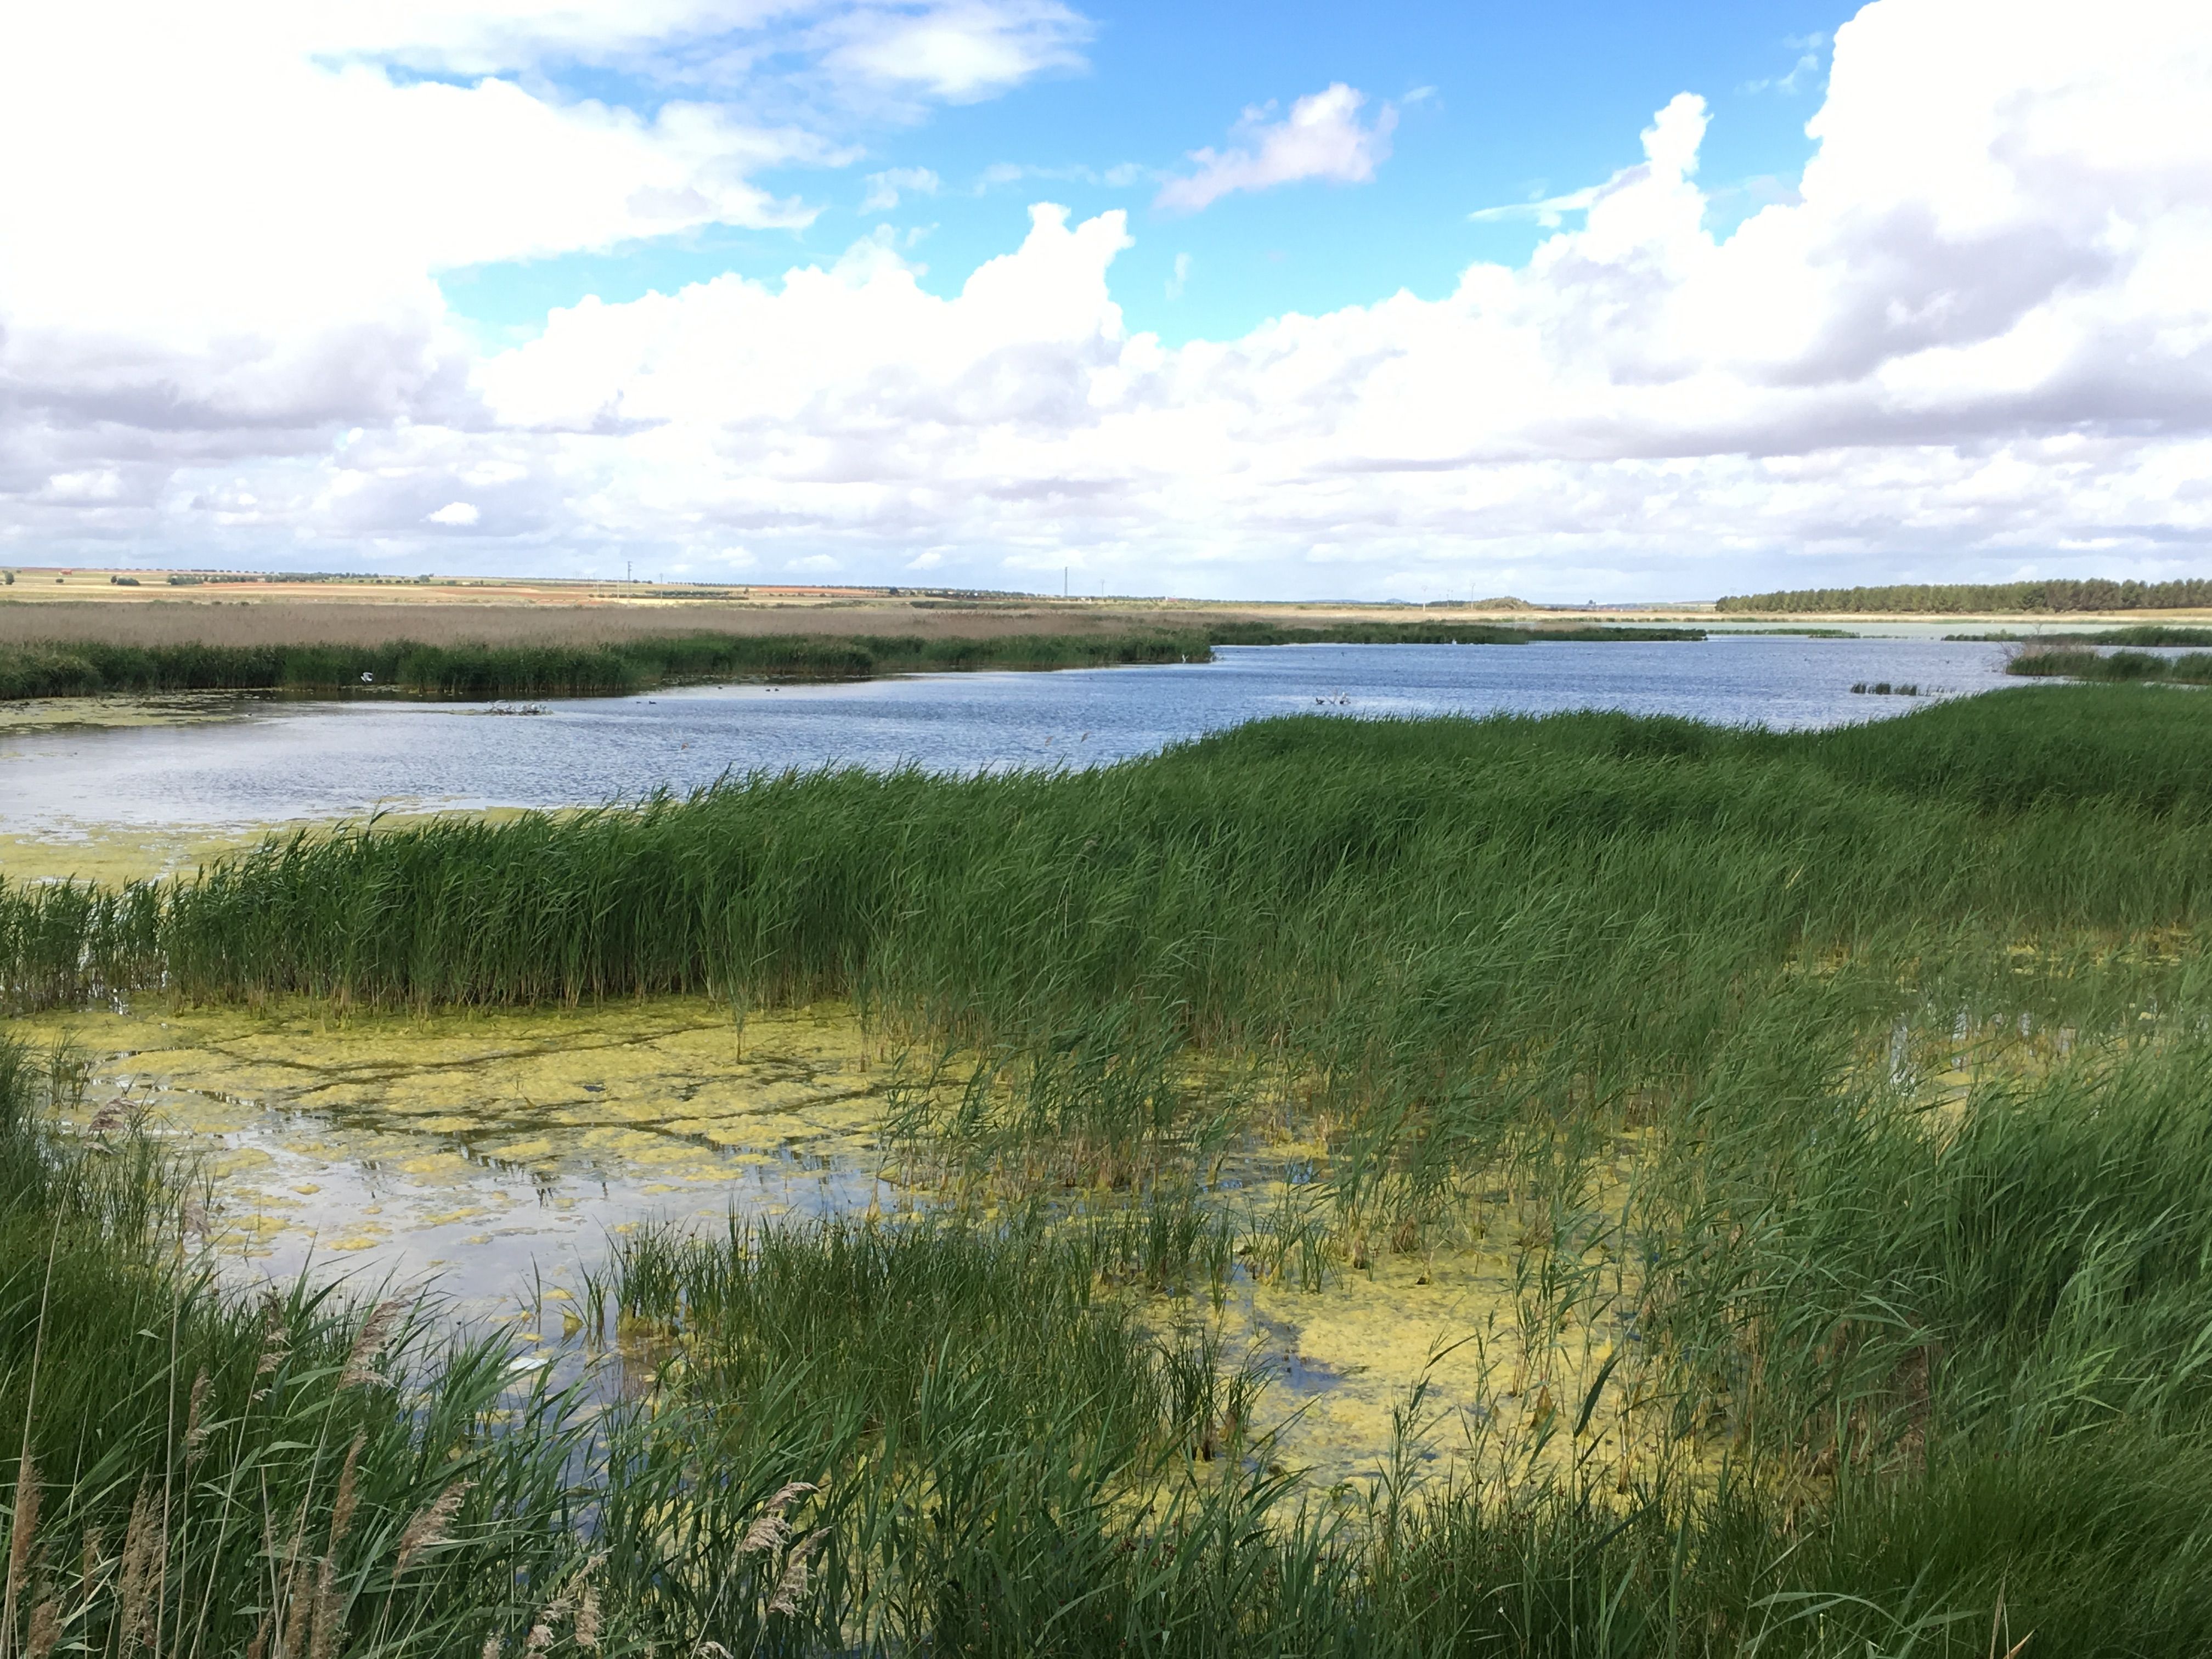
x,y
1853,1083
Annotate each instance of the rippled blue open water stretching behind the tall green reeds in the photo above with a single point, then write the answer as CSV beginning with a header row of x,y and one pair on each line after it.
x,y
262,760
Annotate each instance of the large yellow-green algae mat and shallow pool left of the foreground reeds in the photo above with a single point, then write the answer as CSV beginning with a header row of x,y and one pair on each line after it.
x,y
483,1147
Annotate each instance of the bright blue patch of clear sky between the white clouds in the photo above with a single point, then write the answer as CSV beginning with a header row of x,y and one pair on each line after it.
x,y
1496,105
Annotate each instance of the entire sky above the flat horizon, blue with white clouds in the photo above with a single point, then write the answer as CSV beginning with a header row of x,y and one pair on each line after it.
x,y
1421,302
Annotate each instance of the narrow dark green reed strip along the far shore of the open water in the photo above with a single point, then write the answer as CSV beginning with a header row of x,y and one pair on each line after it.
x,y
76,669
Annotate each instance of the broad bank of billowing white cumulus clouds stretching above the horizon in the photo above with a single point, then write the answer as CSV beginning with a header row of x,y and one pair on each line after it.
x,y
1976,340
